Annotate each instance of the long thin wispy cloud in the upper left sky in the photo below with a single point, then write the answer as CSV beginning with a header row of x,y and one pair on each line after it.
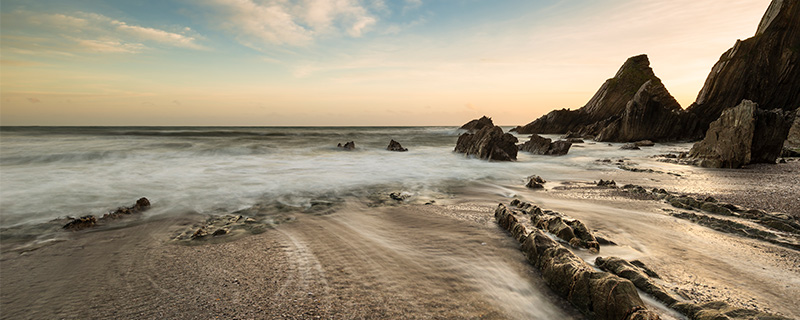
x,y
87,32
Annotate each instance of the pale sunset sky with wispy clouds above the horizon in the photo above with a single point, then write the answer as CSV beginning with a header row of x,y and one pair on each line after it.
x,y
344,62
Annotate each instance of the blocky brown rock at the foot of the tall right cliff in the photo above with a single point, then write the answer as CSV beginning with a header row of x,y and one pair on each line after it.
x,y
743,135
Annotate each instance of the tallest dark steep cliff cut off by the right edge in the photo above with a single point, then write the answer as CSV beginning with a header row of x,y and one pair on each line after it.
x,y
763,69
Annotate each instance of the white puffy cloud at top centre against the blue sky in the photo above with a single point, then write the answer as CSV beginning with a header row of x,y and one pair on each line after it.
x,y
278,22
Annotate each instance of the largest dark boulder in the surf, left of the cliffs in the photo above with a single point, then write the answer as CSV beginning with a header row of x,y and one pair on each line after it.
x,y
489,143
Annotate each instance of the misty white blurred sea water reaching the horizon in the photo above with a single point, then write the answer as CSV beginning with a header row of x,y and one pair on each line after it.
x,y
50,172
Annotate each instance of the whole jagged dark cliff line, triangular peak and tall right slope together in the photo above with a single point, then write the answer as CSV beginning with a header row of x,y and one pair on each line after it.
x,y
635,105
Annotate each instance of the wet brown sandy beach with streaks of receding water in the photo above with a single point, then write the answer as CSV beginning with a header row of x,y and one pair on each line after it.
x,y
443,261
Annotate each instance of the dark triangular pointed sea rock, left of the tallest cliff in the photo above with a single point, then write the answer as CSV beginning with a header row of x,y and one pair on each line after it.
x,y
634,105
